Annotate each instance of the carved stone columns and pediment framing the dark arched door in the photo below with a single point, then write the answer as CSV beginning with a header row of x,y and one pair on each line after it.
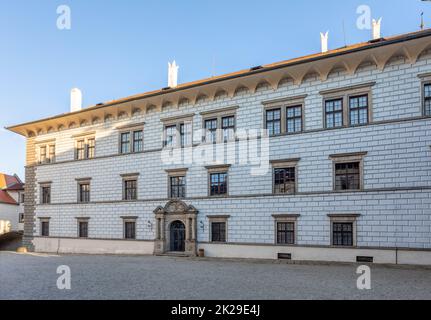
x,y
173,211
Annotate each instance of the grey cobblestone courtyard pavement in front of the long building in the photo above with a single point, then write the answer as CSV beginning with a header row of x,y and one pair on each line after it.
x,y
131,277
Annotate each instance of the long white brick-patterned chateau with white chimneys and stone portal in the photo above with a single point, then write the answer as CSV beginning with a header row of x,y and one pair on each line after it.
x,y
343,173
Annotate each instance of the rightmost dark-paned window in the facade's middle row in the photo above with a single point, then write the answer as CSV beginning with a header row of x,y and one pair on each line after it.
x,y
347,176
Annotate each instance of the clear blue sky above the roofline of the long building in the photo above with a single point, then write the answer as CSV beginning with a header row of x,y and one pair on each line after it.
x,y
119,48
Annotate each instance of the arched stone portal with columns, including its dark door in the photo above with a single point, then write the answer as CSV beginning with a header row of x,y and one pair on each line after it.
x,y
176,228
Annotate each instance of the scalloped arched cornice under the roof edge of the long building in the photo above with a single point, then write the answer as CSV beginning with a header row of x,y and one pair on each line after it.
x,y
380,53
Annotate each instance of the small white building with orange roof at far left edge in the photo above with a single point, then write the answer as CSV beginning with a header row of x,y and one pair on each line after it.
x,y
11,203
